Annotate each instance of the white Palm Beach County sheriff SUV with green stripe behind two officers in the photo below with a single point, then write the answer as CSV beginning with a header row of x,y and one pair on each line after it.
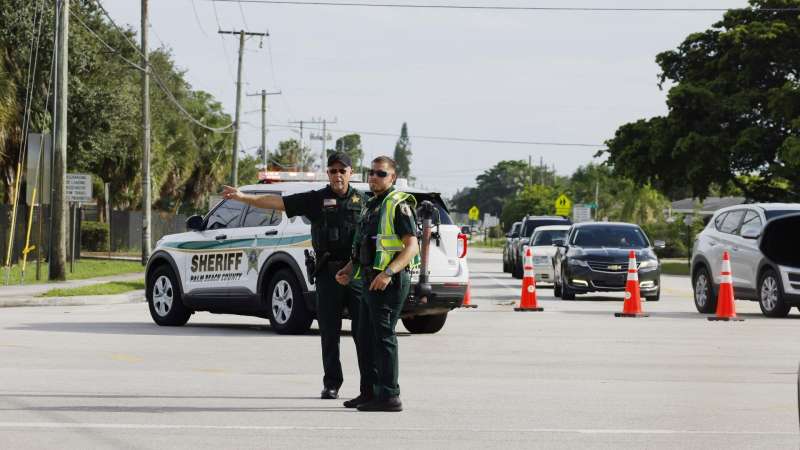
x,y
239,259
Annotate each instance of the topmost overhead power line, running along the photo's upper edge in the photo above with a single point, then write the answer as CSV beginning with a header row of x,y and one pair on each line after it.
x,y
498,7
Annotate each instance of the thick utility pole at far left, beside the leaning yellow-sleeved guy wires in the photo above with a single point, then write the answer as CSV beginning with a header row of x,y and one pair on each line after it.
x,y
58,261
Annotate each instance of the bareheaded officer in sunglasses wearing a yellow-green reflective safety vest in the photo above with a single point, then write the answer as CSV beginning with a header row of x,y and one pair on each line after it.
x,y
384,252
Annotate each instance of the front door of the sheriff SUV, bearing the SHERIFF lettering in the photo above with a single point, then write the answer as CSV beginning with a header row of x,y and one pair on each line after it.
x,y
217,260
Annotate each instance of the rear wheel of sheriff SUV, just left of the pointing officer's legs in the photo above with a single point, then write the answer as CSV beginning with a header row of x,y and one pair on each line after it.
x,y
287,307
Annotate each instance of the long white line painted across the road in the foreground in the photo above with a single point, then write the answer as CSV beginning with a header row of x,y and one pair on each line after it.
x,y
142,426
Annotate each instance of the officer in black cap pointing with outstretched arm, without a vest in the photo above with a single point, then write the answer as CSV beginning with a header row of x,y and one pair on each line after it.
x,y
334,213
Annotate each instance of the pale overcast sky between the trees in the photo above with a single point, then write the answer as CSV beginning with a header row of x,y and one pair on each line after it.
x,y
533,76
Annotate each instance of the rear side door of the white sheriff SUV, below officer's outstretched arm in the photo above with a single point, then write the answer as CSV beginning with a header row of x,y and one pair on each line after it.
x,y
259,234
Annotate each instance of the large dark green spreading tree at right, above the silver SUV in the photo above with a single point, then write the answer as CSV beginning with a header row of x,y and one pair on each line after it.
x,y
734,111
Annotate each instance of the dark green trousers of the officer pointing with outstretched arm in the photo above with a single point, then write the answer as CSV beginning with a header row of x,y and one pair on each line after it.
x,y
332,298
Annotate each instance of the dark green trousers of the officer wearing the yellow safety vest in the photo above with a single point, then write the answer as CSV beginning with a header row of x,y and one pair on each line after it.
x,y
383,309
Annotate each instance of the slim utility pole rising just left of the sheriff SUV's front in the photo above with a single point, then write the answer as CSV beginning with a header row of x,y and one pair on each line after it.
x,y
146,198
